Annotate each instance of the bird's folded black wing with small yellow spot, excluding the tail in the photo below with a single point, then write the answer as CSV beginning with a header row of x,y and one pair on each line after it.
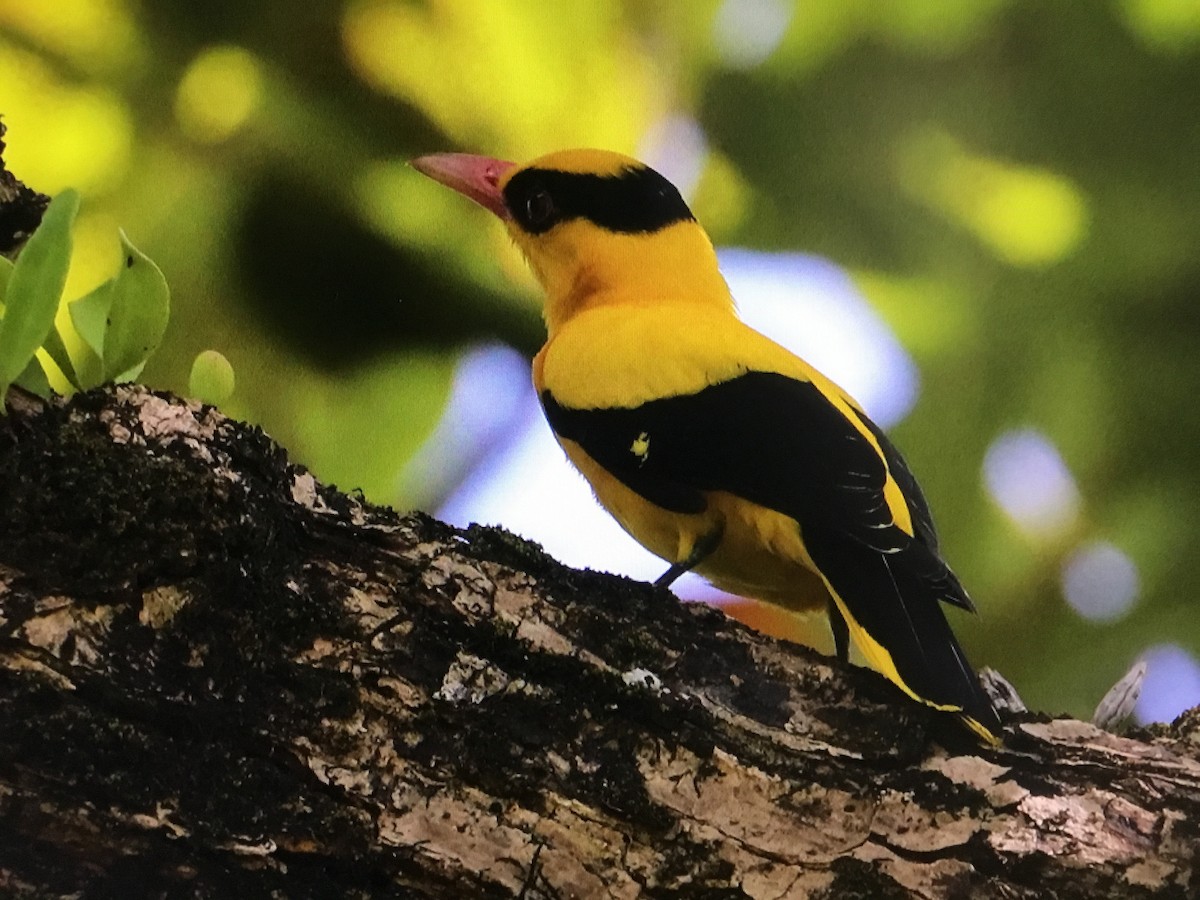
x,y
769,439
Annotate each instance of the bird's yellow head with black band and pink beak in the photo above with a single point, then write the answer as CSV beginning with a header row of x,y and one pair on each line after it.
x,y
597,227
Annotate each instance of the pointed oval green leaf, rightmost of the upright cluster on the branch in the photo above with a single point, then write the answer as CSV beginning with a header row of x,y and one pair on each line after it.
x,y
139,313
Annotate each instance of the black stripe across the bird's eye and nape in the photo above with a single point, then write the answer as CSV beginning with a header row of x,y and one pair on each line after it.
x,y
637,201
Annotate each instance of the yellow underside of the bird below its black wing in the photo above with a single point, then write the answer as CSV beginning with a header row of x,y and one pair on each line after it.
x,y
761,554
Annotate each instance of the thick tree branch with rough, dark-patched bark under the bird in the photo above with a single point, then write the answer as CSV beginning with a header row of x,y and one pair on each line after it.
x,y
220,679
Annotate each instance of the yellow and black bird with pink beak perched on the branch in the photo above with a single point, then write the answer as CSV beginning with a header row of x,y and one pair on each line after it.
x,y
716,448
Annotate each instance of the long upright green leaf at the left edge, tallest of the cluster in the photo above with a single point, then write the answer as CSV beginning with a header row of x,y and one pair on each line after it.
x,y
35,286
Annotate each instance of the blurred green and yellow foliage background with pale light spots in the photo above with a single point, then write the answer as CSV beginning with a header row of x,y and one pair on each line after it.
x,y
982,218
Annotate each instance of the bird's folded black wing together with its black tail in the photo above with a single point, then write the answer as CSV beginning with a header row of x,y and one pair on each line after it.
x,y
781,443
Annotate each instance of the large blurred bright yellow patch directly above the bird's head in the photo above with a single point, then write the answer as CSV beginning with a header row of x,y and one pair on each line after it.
x,y
470,67
